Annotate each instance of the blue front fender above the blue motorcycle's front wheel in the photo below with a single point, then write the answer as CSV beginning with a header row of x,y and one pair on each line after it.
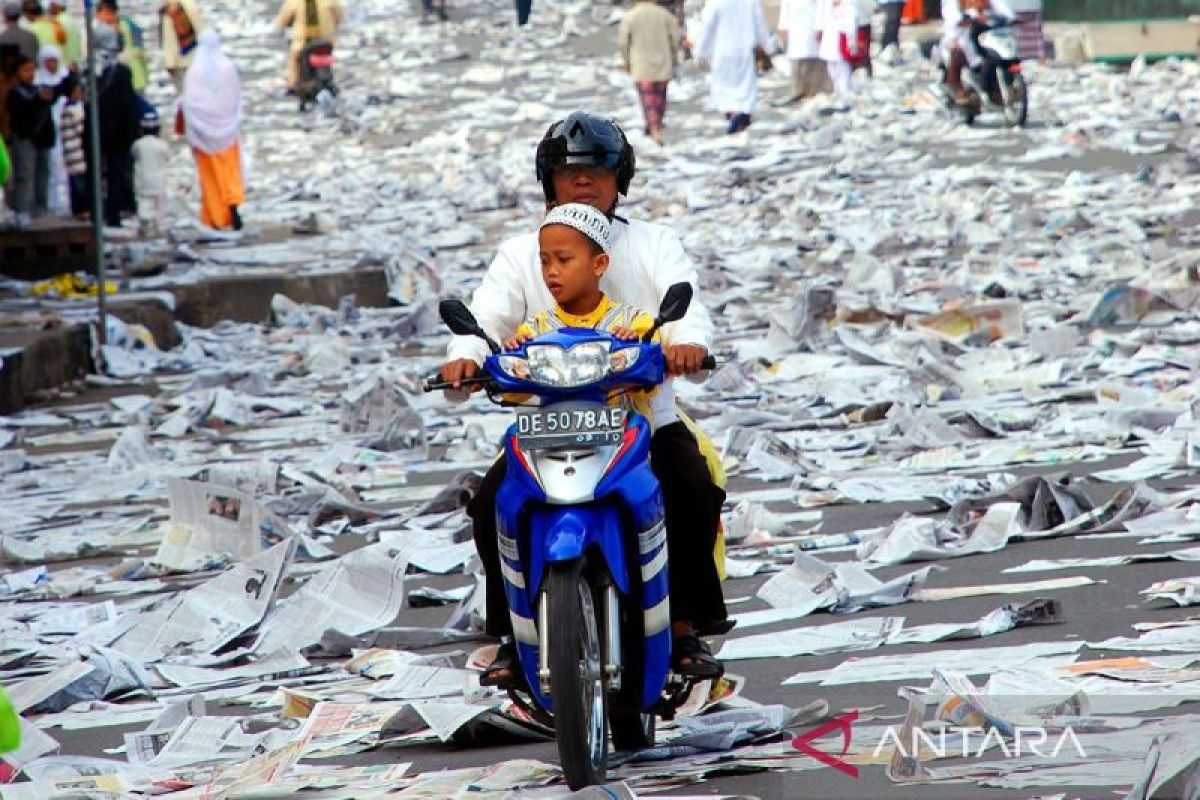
x,y
566,533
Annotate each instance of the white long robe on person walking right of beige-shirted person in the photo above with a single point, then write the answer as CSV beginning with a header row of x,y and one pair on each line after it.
x,y
729,33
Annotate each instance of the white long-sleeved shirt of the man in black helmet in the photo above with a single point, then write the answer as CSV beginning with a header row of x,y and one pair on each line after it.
x,y
646,261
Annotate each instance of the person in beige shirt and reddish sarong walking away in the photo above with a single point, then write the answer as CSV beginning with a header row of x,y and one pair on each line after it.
x,y
650,41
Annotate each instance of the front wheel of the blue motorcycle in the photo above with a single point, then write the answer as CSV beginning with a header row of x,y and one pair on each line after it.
x,y
577,677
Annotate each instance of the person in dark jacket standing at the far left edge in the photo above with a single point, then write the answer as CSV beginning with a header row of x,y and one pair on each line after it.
x,y
33,137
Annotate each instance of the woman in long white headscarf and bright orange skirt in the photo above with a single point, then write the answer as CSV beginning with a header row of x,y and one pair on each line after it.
x,y
212,106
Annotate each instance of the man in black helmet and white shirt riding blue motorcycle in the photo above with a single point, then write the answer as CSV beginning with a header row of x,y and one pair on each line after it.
x,y
585,159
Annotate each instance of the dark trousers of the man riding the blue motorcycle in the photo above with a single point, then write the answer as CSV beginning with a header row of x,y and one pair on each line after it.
x,y
693,516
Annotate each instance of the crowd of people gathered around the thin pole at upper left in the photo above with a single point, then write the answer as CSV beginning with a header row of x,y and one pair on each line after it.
x,y
46,123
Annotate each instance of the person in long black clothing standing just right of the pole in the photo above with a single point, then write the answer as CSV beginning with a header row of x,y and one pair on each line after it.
x,y
118,123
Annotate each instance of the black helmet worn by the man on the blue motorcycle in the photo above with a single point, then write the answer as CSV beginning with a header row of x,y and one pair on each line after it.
x,y
585,139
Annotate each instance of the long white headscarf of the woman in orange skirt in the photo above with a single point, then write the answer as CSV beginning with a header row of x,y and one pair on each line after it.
x,y
212,98
